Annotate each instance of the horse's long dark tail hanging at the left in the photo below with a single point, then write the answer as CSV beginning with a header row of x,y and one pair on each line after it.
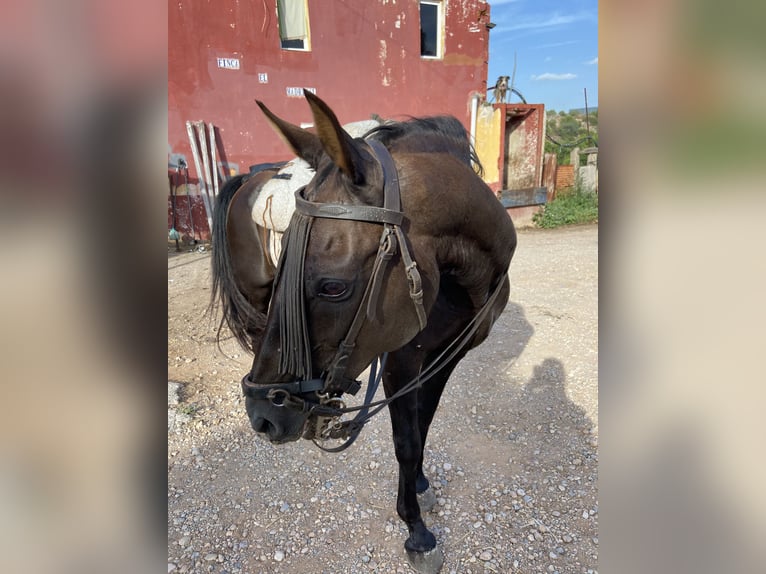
x,y
240,316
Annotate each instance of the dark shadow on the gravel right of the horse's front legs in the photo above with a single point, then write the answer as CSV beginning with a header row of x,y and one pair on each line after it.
x,y
516,448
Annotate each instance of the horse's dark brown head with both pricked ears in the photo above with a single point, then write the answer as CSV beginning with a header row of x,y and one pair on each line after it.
x,y
344,291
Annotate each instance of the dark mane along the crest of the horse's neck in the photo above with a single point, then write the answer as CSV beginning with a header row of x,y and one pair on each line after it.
x,y
436,134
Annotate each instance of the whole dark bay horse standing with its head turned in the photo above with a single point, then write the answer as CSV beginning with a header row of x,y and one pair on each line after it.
x,y
396,247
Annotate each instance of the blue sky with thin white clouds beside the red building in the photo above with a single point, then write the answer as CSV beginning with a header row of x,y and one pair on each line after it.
x,y
556,47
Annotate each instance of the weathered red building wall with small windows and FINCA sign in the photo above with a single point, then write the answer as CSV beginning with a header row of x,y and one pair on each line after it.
x,y
364,59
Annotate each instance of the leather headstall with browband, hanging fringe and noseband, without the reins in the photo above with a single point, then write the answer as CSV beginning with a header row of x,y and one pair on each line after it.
x,y
295,348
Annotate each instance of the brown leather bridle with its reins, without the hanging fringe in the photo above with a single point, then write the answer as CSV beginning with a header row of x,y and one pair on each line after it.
x,y
319,397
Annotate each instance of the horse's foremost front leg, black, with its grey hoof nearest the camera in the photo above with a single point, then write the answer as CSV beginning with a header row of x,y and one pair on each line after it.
x,y
421,547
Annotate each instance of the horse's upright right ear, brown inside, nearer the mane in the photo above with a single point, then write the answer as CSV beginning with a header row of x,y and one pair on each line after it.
x,y
337,143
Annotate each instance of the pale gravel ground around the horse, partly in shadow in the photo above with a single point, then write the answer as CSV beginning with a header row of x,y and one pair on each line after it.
x,y
512,454
